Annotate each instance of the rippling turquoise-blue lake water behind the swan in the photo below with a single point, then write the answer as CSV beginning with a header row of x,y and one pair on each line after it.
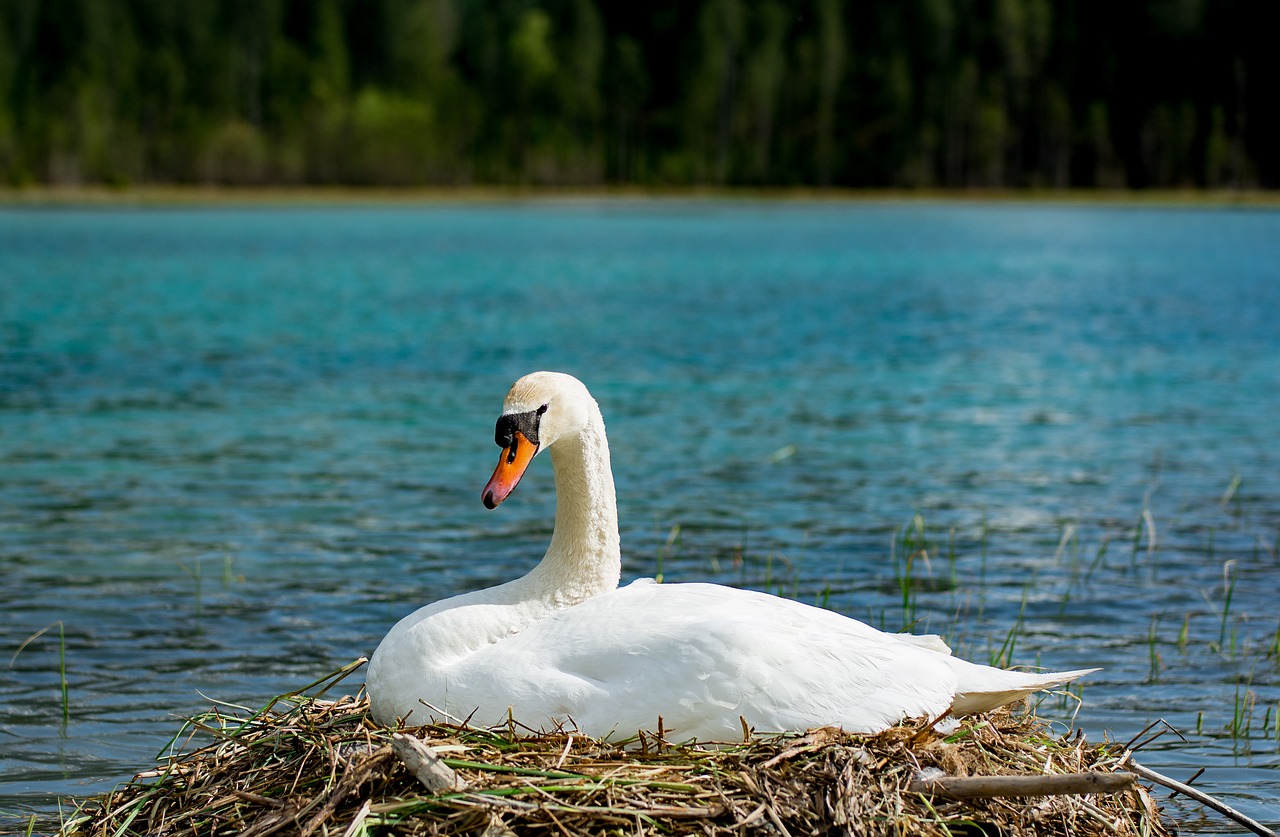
x,y
239,443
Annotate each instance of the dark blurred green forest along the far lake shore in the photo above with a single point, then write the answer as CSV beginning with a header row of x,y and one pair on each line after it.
x,y
912,95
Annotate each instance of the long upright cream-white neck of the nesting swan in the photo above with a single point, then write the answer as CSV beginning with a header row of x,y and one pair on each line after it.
x,y
584,559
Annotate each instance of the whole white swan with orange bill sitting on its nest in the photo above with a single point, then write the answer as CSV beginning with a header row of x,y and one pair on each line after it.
x,y
566,646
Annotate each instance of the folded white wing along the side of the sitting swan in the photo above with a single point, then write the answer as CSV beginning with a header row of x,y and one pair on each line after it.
x,y
702,657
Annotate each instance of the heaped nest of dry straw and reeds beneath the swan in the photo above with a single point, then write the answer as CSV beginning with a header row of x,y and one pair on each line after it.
x,y
309,766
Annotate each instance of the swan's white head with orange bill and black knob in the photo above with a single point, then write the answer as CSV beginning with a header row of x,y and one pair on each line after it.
x,y
541,409
